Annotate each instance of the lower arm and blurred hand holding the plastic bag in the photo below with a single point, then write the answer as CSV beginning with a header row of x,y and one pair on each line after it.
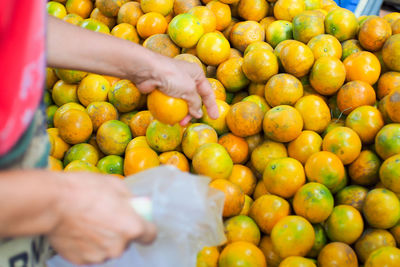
x,y
87,217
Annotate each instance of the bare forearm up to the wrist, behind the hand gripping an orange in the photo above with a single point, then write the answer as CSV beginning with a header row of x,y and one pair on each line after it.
x,y
72,47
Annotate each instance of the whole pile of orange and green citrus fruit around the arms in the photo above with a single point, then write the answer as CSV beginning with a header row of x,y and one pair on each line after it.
x,y
307,145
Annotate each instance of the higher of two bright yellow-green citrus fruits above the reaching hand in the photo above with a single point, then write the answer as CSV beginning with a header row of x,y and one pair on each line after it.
x,y
185,30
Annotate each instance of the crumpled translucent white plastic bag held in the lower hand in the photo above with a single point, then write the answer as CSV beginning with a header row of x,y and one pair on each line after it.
x,y
187,213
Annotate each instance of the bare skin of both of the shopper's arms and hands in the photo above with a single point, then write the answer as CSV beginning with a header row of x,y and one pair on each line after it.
x,y
61,205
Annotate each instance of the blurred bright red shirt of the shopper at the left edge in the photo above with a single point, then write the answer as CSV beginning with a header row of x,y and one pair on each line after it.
x,y
22,66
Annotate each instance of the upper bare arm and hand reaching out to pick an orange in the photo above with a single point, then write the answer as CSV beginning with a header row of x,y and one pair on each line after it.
x,y
72,47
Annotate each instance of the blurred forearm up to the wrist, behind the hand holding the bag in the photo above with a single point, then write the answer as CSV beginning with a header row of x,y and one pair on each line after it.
x,y
28,202
